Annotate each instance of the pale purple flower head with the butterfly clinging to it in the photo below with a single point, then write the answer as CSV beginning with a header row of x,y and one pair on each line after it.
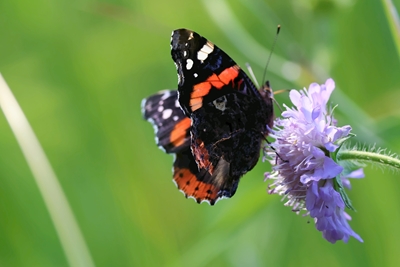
x,y
303,171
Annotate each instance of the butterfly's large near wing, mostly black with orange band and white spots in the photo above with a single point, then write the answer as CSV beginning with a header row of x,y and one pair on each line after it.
x,y
229,115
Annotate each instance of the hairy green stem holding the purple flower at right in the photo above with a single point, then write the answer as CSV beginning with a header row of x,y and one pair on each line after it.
x,y
390,161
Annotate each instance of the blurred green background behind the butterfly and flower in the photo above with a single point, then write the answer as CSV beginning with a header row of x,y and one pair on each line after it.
x,y
79,70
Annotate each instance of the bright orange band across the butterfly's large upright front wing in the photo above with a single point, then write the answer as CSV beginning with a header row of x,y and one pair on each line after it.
x,y
216,81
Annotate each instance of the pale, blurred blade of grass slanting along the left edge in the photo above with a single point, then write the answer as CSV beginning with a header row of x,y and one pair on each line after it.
x,y
66,226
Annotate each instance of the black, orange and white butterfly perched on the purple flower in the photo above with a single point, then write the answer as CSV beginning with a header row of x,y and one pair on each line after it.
x,y
215,122
